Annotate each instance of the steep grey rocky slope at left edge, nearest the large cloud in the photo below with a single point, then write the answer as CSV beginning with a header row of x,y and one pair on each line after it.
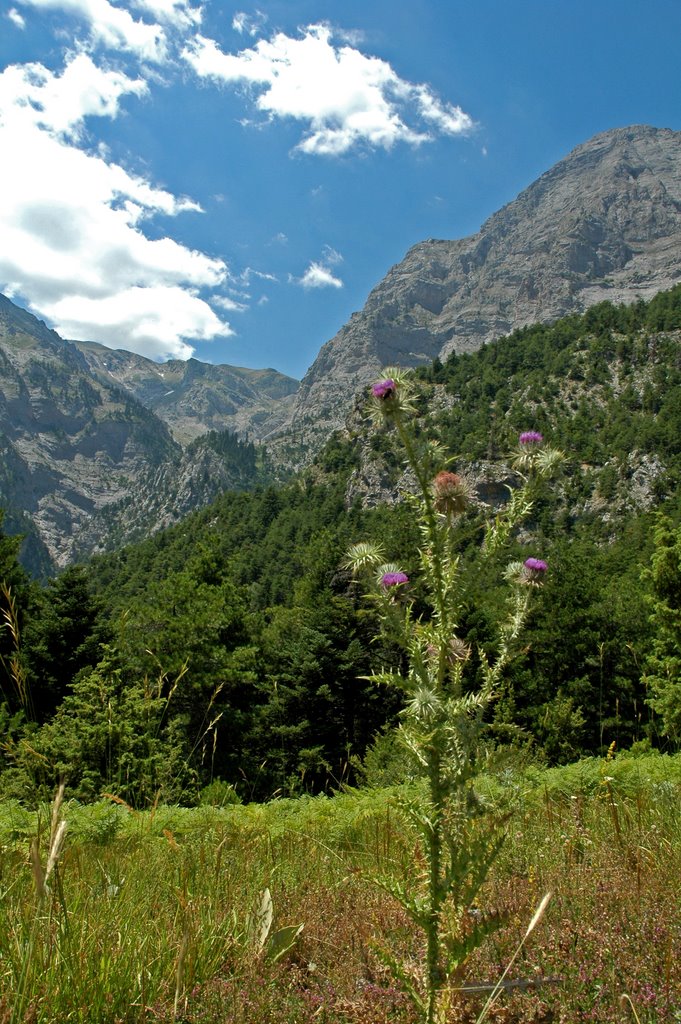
x,y
70,445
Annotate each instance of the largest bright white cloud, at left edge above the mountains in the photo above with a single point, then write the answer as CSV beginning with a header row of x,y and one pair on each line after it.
x,y
70,223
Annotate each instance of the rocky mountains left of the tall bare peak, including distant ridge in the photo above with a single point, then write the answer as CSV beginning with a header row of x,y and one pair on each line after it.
x,y
88,454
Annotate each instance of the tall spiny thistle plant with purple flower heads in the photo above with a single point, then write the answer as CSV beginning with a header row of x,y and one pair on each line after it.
x,y
445,702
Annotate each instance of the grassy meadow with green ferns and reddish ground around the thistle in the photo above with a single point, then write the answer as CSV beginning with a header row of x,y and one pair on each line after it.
x,y
145,918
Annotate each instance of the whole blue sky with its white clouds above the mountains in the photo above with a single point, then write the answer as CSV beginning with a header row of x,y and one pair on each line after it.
x,y
231,182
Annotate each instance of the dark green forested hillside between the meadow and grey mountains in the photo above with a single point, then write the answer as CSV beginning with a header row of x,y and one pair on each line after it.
x,y
230,651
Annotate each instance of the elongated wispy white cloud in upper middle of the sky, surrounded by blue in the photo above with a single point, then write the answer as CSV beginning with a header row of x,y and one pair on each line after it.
x,y
346,98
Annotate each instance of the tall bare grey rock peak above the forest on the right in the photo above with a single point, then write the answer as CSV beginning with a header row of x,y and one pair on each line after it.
x,y
604,224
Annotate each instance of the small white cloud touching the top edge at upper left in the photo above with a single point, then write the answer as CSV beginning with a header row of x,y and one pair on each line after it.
x,y
114,27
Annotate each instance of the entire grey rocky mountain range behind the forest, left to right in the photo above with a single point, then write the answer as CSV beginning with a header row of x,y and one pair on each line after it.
x,y
100,447
